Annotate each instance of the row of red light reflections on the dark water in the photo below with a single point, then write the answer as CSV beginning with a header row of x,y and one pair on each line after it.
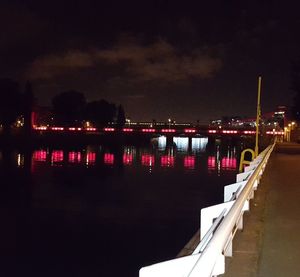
x,y
129,157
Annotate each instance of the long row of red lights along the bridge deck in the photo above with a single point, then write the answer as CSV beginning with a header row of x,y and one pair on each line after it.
x,y
197,131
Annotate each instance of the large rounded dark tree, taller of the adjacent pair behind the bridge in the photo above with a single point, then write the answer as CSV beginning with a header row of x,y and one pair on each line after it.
x,y
68,107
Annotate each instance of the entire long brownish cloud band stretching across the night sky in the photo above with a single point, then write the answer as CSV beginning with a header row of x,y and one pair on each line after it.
x,y
157,61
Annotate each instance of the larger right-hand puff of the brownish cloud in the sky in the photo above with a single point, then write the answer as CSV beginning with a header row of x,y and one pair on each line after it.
x,y
161,61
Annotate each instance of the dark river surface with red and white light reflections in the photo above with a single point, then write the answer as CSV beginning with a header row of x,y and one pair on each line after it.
x,y
105,211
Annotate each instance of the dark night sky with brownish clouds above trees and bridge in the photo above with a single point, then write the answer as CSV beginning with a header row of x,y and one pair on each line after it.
x,y
186,60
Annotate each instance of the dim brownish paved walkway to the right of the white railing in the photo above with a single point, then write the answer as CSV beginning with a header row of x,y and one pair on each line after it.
x,y
269,245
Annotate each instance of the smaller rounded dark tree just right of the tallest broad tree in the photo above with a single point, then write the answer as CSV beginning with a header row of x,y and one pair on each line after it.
x,y
100,112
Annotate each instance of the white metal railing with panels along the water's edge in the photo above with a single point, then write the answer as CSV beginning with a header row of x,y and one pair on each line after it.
x,y
219,224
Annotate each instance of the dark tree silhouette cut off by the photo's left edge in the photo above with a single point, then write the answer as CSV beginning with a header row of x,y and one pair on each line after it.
x,y
9,104
